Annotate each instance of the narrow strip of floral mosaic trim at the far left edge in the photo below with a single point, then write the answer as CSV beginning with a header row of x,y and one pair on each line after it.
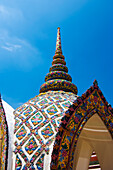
x,y
3,138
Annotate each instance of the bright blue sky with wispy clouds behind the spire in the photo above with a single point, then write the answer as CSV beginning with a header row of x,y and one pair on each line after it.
x,y
28,31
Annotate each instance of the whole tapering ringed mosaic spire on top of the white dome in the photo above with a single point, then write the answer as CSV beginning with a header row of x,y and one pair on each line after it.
x,y
58,77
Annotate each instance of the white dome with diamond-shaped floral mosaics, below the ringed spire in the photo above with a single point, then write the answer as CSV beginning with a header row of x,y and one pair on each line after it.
x,y
35,132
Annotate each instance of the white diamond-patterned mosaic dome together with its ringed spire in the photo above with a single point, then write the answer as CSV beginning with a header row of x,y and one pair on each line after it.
x,y
37,121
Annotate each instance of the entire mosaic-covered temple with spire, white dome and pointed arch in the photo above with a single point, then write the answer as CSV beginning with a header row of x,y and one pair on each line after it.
x,y
59,130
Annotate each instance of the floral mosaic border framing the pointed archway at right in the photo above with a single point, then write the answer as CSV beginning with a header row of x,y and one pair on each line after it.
x,y
72,123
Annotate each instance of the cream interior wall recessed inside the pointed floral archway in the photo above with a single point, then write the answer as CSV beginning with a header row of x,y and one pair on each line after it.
x,y
94,136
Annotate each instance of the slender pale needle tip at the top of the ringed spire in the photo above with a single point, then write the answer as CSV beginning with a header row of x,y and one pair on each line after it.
x,y
58,42
